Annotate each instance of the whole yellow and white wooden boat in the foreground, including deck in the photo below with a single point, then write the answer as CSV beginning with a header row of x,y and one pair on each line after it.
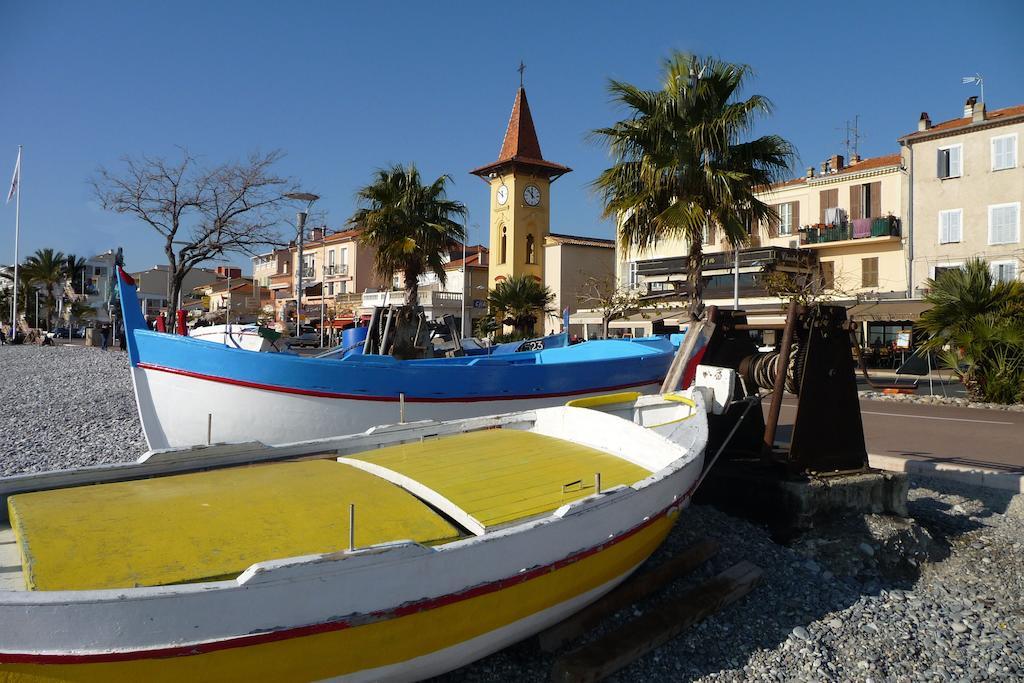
x,y
396,554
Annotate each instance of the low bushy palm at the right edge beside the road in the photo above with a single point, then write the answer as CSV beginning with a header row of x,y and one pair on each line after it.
x,y
976,325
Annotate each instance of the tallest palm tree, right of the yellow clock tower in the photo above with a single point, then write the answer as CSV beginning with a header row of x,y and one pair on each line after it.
x,y
681,164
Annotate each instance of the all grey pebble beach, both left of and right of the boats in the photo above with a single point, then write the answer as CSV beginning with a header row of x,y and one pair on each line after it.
x,y
821,613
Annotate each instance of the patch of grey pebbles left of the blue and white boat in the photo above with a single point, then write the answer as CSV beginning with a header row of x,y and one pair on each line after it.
x,y
66,407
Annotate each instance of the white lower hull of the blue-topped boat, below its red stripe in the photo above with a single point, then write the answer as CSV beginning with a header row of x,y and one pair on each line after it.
x,y
180,410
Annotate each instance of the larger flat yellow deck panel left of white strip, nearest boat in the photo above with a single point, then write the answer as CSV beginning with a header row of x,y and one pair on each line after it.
x,y
208,525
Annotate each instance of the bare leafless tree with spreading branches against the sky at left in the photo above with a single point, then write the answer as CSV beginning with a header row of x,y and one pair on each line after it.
x,y
203,214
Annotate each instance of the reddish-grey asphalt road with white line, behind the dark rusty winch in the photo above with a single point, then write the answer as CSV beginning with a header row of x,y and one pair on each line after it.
x,y
963,436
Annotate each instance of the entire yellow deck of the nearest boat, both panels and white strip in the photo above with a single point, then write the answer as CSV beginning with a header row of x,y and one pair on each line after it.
x,y
215,525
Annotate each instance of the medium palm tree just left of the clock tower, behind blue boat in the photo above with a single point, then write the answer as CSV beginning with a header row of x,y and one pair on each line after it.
x,y
411,226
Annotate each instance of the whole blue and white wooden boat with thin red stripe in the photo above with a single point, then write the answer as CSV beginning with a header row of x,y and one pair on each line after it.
x,y
194,393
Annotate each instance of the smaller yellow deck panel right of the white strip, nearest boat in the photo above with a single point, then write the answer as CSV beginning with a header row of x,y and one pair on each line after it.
x,y
501,476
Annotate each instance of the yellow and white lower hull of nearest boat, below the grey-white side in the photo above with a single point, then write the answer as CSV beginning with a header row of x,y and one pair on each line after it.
x,y
414,647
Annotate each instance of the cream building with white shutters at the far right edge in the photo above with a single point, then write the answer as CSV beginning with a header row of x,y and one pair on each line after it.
x,y
965,187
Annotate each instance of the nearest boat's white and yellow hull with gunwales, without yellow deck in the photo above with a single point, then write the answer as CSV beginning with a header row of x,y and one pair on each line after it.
x,y
399,611
